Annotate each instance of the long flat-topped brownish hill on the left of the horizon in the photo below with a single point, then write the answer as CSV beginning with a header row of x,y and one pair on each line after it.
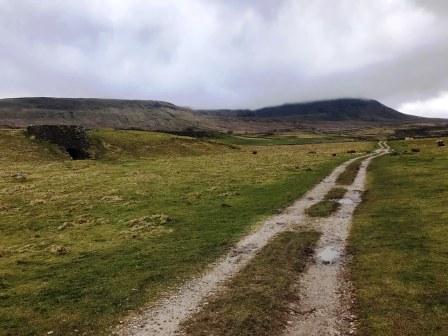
x,y
98,113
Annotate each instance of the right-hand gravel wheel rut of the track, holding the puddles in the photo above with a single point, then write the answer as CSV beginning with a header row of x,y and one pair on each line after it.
x,y
324,307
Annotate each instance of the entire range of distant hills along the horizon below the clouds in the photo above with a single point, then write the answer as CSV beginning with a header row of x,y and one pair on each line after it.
x,y
163,116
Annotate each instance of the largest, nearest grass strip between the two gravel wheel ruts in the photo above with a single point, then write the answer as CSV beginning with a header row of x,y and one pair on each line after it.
x,y
255,301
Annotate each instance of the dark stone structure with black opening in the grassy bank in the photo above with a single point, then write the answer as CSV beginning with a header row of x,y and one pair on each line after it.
x,y
71,138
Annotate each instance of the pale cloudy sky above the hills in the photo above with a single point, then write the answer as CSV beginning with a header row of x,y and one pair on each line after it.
x,y
228,53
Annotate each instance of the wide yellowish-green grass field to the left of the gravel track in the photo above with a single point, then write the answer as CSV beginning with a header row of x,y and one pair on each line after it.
x,y
82,243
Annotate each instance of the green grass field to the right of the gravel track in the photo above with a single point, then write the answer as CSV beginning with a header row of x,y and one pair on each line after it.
x,y
399,242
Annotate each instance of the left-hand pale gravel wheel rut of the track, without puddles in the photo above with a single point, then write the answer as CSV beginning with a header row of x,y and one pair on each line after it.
x,y
165,317
